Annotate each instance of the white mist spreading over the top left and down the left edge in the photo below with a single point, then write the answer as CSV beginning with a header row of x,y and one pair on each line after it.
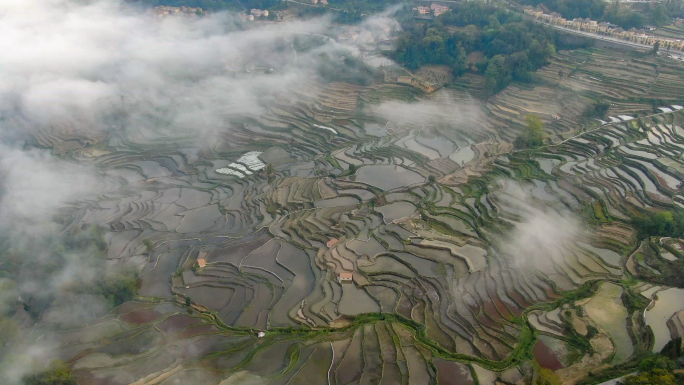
x,y
91,68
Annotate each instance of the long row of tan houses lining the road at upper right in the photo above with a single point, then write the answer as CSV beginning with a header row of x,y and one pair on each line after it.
x,y
607,29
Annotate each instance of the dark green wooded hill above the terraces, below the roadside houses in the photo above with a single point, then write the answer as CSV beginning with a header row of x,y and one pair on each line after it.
x,y
513,48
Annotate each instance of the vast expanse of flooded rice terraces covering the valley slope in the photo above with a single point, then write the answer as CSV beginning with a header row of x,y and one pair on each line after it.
x,y
467,260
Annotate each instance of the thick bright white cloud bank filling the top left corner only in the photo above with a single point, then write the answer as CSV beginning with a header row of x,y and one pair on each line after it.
x,y
64,61
